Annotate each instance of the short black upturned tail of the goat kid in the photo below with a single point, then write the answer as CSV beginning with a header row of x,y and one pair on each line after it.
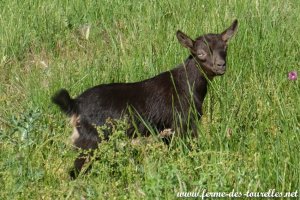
x,y
65,102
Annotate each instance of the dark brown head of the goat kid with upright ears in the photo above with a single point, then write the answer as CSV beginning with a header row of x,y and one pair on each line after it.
x,y
209,50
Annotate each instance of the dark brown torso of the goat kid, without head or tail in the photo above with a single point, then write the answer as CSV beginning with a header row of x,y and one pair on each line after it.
x,y
154,99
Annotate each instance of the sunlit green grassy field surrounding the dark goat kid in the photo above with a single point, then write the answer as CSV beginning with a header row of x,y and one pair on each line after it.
x,y
249,135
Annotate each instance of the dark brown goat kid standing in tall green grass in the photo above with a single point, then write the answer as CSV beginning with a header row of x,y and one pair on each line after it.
x,y
156,100
